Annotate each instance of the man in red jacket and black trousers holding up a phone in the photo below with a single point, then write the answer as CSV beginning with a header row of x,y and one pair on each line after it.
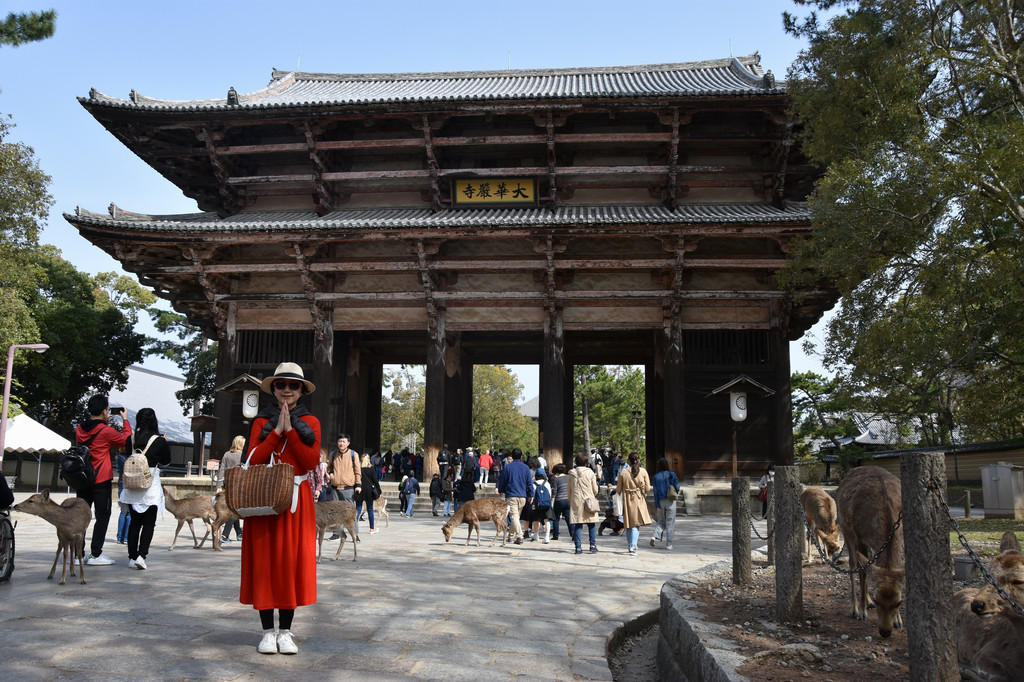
x,y
101,494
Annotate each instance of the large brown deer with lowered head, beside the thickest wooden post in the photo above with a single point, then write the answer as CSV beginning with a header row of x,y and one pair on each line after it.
x,y
870,506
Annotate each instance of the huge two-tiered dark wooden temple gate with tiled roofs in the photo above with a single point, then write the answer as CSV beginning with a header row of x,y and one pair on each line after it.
x,y
625,216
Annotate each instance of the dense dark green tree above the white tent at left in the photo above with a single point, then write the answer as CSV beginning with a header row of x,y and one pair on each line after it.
x,y
93,344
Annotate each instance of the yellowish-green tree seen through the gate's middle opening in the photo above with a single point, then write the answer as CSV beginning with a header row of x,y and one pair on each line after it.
x,y
497,420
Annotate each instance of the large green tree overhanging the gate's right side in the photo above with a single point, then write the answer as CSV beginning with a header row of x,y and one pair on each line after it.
x,y
917,110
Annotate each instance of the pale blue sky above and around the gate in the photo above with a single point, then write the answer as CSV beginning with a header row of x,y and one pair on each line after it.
x,y
191,51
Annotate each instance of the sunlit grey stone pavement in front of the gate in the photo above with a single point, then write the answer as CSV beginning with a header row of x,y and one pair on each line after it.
x,y
412,608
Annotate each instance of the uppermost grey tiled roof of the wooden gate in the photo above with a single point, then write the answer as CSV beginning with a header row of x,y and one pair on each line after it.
x,y
735,76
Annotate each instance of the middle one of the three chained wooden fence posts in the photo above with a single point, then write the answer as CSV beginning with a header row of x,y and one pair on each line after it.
x,y
789,540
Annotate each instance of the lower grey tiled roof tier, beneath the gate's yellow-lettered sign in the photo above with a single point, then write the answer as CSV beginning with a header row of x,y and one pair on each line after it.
x,y
389,219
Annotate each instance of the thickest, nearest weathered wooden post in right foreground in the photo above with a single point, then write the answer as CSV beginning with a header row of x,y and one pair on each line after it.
x,y
929,620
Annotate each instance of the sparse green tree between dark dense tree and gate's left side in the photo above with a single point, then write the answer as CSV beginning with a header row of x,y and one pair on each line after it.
x,y
195,356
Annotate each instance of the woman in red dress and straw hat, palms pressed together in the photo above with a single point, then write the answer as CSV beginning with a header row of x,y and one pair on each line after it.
x,y
279,553
